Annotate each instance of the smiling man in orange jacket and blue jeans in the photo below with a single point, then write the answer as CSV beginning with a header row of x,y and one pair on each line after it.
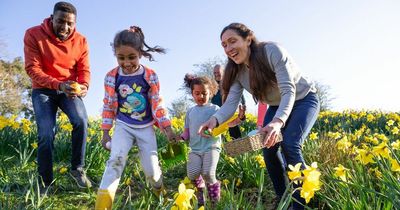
x,y
57,61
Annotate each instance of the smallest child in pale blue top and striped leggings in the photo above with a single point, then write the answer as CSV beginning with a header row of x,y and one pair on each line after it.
x,y
204,151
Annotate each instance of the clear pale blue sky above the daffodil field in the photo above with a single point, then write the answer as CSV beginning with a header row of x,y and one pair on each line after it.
x,y
353,47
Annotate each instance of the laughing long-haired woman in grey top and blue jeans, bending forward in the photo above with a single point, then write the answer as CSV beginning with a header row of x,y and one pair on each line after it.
x,y
268,72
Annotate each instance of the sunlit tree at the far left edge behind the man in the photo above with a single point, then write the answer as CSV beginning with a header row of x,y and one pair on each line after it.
x,y
15,91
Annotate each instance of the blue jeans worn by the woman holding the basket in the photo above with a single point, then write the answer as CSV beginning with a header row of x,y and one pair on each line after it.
x,y
302,118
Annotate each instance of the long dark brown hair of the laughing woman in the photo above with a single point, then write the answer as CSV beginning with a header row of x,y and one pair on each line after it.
x,y
262,78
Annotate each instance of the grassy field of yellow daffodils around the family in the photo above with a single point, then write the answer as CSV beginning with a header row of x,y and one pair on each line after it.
x,y
353,162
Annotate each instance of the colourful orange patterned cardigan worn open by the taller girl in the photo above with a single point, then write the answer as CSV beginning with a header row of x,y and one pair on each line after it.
x,y
111,99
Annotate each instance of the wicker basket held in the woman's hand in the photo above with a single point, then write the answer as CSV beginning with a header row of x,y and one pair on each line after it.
x,y
246,144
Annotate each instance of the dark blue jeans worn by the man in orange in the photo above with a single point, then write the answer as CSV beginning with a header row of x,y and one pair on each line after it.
x,y
45,105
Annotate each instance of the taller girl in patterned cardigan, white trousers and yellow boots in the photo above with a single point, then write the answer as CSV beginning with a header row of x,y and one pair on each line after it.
x,y
133,102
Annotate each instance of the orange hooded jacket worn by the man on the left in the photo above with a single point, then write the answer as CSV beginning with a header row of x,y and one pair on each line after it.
x,y
50,61
